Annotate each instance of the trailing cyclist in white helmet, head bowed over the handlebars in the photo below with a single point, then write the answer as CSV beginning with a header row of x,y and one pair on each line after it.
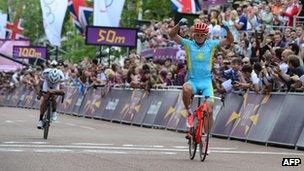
x,y
52,79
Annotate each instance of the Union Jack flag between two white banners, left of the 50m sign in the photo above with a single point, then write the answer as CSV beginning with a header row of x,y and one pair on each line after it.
x,y
80,12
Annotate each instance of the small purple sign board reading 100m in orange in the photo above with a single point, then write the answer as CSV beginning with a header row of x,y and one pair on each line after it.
x,y
29,52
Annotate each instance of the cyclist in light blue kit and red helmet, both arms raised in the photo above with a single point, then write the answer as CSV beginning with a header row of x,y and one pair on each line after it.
x,y
200,51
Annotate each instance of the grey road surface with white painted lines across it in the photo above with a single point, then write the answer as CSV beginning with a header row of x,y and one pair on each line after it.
x,y
77,143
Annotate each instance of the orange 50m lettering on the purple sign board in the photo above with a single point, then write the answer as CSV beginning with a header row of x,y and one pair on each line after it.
x,y
110,36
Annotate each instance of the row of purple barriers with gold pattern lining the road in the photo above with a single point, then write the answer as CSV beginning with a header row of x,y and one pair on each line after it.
x,y
246,116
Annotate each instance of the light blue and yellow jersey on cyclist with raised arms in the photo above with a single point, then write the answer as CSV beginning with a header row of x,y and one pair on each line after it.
x,y
199,58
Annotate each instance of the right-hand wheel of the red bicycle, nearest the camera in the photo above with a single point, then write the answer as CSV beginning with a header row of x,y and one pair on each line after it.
x,y
204,143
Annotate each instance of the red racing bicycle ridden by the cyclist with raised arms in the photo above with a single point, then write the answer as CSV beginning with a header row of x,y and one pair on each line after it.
x,y
199,133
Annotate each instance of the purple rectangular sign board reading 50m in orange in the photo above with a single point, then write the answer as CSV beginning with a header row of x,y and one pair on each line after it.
x,y
111,36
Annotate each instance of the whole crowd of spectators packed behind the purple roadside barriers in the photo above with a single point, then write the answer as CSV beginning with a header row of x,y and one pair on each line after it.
x,y
266,56
